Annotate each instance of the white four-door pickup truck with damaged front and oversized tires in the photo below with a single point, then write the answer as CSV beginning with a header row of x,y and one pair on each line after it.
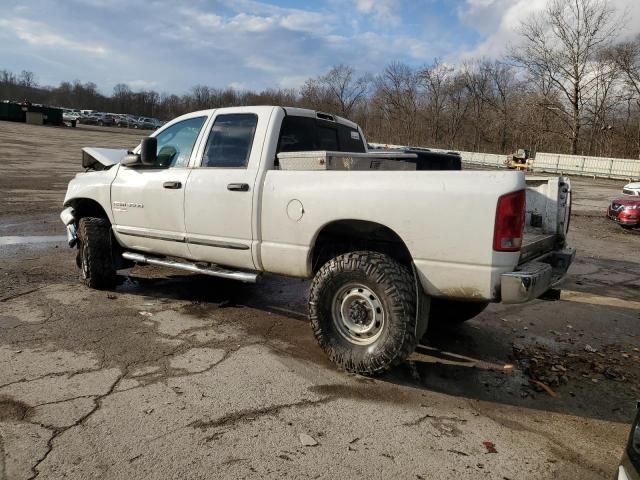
x,y
236,192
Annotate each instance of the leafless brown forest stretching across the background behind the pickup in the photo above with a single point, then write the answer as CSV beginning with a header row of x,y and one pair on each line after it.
x,y
566,87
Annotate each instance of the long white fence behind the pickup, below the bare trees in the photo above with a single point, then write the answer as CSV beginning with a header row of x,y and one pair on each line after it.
x,y
604,167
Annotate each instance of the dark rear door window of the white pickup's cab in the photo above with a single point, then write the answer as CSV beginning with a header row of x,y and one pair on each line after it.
x,y
230,140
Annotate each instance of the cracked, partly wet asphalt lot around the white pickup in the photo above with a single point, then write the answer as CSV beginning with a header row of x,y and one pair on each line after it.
x,y
179,376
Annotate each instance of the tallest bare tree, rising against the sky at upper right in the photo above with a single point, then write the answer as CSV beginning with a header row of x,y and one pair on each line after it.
x,y
559,46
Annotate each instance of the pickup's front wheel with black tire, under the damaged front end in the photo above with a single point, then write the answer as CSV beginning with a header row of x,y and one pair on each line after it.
x,y
95,254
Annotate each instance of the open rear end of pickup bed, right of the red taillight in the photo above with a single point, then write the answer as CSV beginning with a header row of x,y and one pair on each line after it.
x,y
548,210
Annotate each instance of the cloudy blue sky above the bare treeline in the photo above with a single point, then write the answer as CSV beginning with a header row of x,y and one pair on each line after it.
x,y
171,45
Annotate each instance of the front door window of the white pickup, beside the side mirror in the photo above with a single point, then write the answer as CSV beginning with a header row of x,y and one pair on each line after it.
x,y
176,142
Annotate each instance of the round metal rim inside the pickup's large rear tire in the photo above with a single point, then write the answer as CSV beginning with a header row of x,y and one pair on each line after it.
x,y
358,314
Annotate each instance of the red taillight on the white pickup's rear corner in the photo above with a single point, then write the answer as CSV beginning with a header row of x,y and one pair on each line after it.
x,y
507,235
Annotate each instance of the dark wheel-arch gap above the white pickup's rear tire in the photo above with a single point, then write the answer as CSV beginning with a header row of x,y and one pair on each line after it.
x,y
345,235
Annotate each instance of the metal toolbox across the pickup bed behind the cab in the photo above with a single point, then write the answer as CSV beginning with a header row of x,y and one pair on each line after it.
x,y
325,160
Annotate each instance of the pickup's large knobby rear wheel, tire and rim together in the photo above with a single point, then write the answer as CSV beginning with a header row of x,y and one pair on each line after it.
x,y
362,307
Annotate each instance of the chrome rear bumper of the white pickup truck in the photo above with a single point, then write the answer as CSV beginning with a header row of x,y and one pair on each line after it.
x,y
534,278
